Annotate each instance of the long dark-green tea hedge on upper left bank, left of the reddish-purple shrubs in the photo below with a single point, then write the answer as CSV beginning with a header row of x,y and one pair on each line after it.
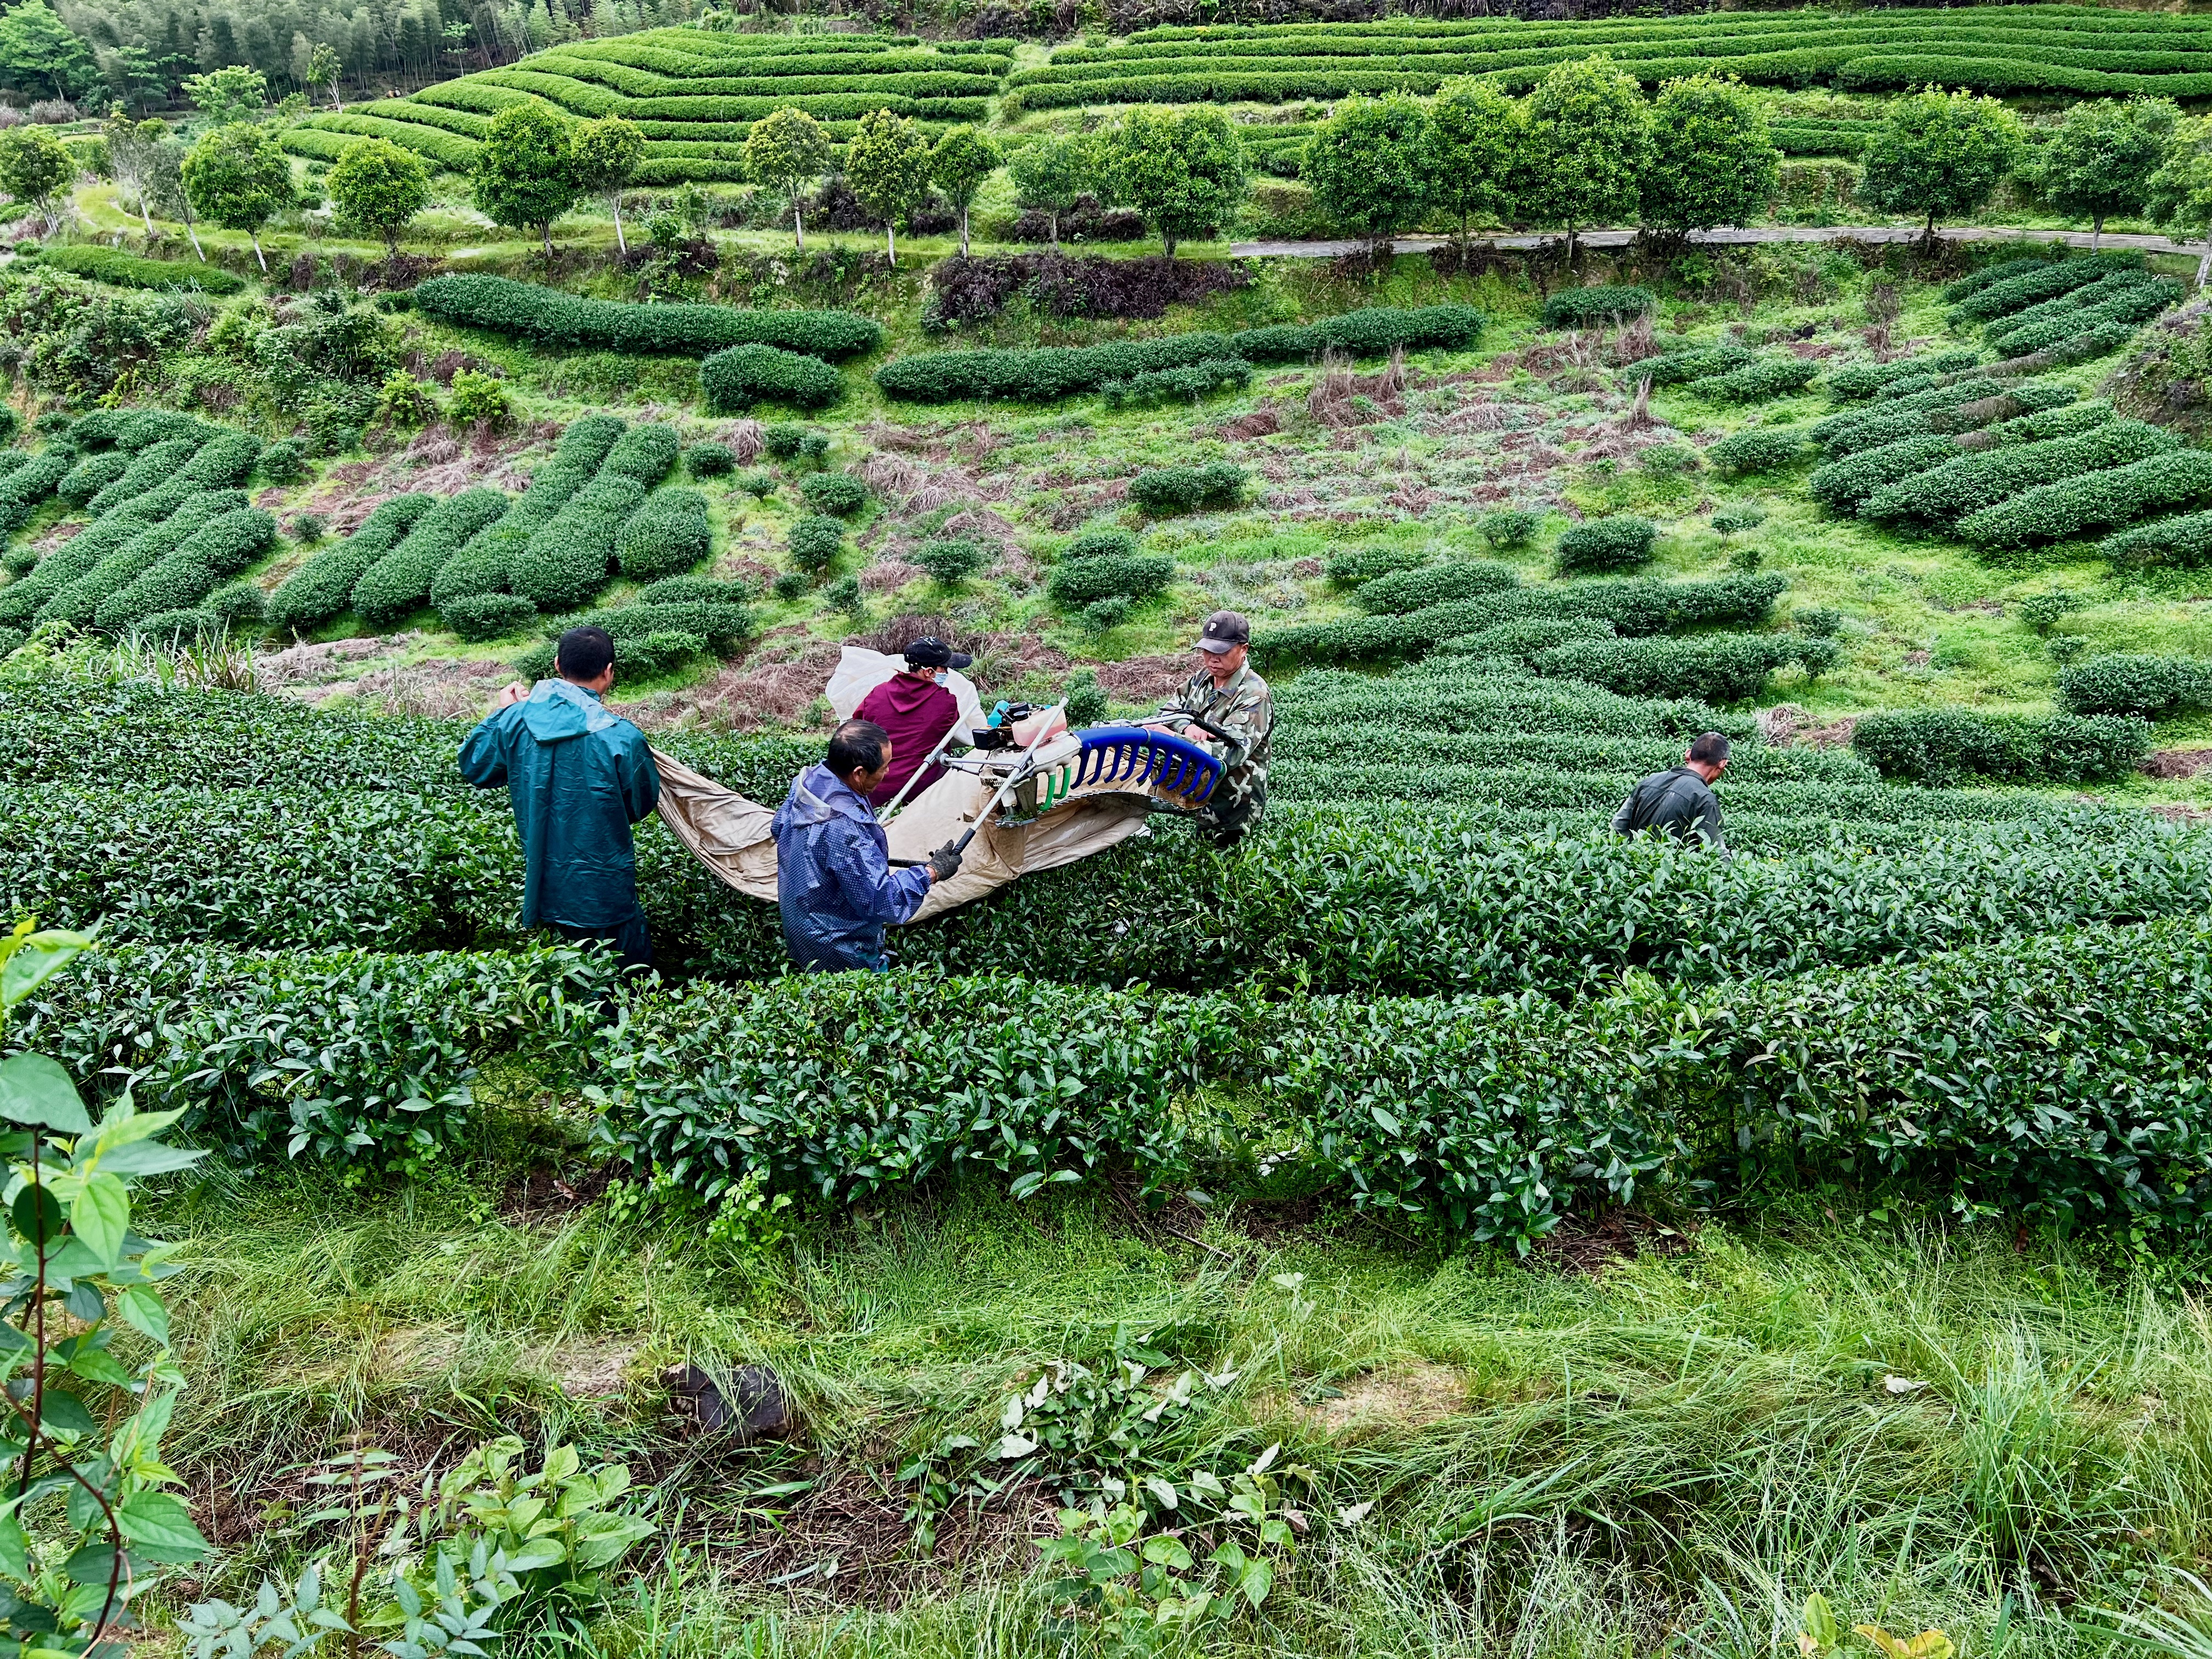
x,y
567,322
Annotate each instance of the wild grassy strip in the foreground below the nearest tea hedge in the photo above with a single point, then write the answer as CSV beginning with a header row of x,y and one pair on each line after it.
x,y
1669,1450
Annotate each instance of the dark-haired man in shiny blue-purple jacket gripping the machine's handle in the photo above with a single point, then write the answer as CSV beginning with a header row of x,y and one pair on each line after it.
x,y
835,879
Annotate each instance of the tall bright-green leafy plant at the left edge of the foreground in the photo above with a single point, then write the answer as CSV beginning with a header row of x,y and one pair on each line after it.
x,y
87,1523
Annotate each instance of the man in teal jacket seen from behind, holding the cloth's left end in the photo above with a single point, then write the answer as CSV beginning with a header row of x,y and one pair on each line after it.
x,y
578,780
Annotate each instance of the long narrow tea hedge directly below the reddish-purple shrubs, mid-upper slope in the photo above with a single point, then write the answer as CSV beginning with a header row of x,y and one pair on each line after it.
x,y
1056,373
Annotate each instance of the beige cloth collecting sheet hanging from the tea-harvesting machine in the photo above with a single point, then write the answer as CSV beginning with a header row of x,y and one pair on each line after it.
x,y
733,835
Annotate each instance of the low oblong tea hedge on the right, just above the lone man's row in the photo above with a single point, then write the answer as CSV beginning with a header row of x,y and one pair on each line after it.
x,y
1941,747
